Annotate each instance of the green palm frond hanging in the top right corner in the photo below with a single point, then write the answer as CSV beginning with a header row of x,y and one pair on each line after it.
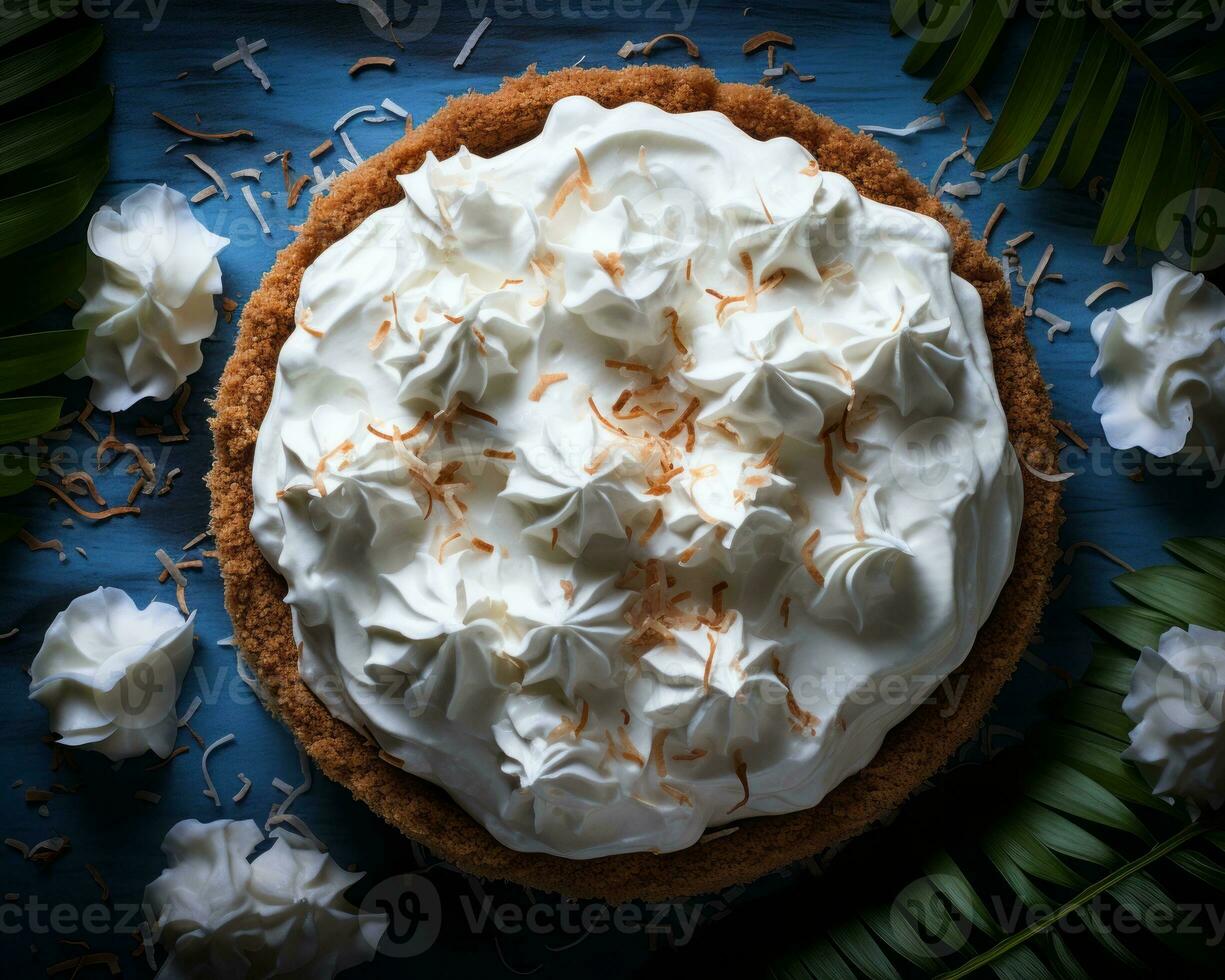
x,y
1172,146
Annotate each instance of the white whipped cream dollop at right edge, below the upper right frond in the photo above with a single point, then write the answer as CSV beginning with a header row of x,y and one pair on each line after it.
x,y
1162,362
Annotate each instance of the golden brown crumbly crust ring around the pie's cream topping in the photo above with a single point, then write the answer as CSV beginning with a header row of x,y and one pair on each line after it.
x,y
254,592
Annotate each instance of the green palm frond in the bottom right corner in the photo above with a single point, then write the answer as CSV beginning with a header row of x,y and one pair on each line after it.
x,y
1006,869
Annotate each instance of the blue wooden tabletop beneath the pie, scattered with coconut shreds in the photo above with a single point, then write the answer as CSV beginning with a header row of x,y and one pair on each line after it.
x,y
466,928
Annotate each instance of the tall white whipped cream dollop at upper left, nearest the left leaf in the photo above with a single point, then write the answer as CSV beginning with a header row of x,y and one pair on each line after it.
x,y
150,282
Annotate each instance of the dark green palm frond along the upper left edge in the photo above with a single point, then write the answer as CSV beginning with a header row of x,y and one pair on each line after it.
x,y
52,161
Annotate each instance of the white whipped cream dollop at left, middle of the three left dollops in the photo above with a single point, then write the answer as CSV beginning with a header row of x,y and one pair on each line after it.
x,y
110,674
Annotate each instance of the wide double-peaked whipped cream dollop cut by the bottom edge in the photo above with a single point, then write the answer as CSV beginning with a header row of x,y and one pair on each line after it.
x,y
220,914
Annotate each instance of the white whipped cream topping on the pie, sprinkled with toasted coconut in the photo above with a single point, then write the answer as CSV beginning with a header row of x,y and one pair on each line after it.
x,y
635,481
